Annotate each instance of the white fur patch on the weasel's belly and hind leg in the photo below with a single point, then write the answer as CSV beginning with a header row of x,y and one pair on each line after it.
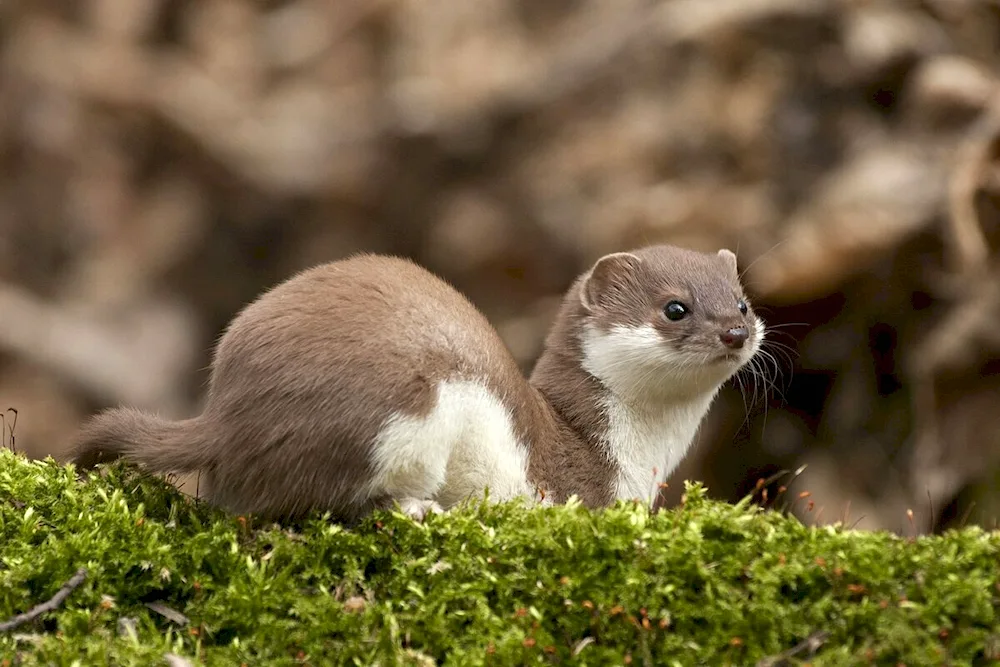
x,y
463,446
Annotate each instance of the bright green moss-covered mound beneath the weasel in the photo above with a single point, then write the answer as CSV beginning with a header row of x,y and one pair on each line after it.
x,y
707,583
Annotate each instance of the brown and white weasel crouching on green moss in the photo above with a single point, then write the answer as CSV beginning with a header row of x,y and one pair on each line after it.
x,y
368,382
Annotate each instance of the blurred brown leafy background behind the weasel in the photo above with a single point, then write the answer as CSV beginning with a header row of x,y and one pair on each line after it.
x,y
163,161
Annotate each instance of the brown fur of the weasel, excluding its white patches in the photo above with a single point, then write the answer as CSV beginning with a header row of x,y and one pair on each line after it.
x,y
305,376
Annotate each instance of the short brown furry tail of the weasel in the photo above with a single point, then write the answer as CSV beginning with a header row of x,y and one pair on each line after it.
x,y
157,444
